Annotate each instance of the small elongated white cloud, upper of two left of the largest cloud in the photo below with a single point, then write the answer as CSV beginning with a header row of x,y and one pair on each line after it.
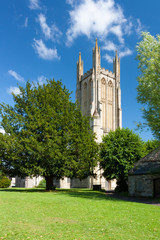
x,y
52,32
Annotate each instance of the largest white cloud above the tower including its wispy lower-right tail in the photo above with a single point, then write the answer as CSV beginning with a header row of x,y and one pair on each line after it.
x,y
103,19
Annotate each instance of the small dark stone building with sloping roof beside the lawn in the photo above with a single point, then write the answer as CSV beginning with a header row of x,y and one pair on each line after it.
x,y
144,178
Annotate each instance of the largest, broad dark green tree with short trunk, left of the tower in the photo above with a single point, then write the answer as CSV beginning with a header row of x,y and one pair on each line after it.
x,y
47,134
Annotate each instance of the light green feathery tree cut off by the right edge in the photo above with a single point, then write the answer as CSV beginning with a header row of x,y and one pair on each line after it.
x,y
148,55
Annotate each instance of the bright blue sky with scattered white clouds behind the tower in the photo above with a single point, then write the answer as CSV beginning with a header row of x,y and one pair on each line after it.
x,y
42,39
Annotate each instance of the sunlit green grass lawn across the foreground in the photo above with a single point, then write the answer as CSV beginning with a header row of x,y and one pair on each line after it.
x,y
74,214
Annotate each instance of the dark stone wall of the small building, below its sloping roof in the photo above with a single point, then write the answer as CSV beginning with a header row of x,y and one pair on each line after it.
x,y
142,185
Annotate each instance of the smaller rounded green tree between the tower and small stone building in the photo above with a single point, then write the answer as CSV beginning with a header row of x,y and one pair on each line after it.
x,y
119,151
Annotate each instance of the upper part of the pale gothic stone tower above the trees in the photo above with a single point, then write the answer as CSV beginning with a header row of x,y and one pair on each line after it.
x,y
99,95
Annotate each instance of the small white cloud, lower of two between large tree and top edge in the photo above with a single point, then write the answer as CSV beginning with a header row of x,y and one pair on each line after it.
x,y
44,52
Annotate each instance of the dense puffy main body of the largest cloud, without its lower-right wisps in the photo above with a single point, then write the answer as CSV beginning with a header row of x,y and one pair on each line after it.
x,y
98,18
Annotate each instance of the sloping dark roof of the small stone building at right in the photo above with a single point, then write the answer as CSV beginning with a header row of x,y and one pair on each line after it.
x,y
150,164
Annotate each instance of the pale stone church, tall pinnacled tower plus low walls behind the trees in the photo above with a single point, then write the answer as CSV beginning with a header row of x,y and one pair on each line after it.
x,y
98,93
